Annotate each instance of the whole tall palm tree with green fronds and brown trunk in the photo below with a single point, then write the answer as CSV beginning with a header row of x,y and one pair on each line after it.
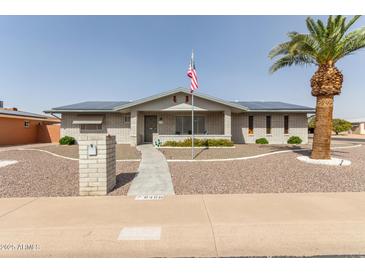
x,y
323,46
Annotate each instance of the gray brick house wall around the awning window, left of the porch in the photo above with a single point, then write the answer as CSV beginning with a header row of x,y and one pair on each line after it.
x,y
113,124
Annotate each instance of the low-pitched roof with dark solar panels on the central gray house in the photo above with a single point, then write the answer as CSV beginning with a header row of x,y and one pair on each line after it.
x,y
112,106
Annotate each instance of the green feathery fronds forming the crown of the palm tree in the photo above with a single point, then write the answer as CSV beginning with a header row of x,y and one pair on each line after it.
x,y
324,44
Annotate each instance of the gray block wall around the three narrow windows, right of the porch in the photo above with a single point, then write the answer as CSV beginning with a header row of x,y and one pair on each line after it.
x,y
297,127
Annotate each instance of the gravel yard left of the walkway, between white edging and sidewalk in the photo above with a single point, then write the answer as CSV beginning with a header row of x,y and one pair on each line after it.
x,y
39,174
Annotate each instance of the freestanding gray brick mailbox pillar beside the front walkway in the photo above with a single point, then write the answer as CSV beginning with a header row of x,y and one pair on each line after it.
x,y
97,174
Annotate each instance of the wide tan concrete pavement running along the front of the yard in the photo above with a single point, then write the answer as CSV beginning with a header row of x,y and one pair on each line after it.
x,y
190,226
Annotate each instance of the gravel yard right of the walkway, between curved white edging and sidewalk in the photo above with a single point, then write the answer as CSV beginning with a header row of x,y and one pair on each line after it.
x,y
270,174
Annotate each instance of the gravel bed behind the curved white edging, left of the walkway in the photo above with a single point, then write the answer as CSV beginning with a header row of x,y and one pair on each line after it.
x,y
123,152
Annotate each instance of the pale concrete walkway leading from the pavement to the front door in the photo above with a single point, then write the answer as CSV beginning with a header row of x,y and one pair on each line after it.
x,y
153,176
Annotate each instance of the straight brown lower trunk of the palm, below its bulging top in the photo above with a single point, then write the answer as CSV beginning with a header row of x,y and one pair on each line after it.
x,y
322,133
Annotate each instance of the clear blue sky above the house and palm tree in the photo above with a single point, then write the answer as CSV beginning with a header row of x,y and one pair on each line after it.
x,y
48,61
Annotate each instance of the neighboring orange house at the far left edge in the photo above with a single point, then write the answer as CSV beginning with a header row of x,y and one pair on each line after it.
x,y
19,127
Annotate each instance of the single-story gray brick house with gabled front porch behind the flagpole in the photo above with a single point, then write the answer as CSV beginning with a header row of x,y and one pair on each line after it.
x,y
167,116
